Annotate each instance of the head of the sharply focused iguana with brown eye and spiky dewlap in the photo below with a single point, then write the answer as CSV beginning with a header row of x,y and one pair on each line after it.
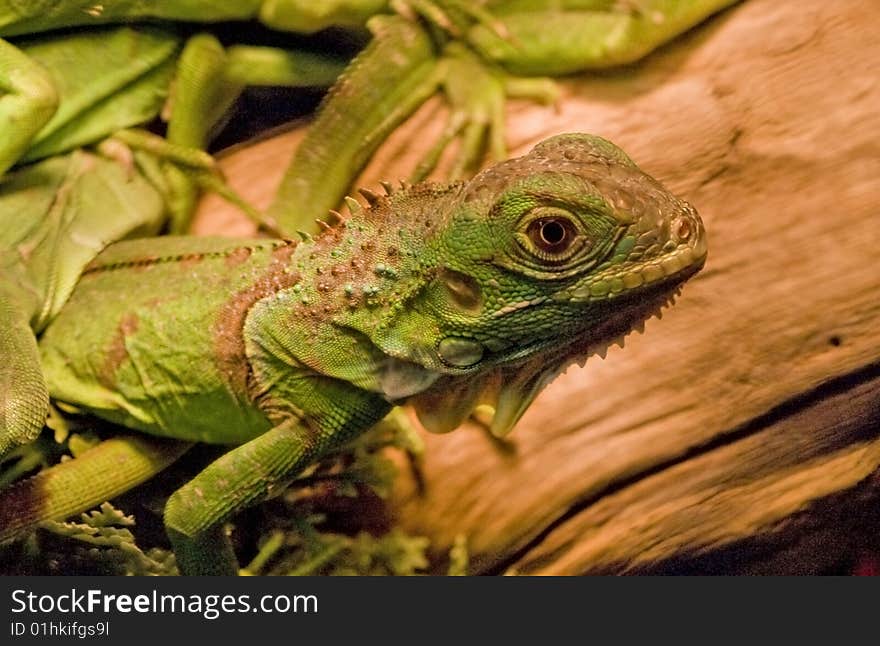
x,y
536,263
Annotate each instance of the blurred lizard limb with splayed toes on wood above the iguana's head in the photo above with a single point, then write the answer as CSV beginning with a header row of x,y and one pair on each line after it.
x,y
539,38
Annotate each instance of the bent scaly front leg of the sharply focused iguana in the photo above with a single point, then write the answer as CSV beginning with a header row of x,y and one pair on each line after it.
x,y
313,413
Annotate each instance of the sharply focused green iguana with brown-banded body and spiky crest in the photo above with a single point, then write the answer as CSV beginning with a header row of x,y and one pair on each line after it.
x,y
443,296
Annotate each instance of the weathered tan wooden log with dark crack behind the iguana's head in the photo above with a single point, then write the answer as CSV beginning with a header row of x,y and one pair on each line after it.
x,y
740,433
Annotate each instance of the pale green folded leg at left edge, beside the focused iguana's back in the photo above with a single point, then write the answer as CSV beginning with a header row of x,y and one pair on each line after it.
x,y
55,216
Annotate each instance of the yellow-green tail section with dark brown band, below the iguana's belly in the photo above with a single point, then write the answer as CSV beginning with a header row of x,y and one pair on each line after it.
x,y
101,473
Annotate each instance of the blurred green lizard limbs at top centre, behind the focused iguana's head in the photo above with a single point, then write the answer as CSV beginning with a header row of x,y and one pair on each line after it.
x,y
477,54
